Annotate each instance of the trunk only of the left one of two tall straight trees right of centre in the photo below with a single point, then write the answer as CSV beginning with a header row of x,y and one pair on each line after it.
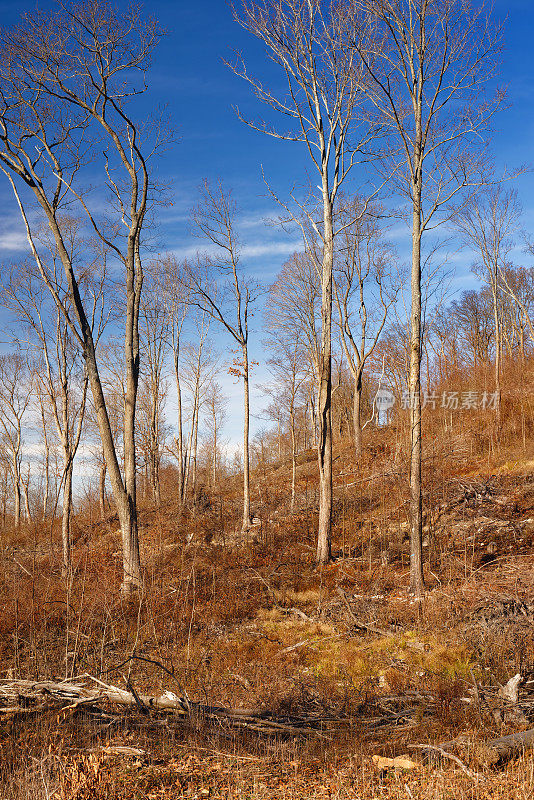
x,y
324,398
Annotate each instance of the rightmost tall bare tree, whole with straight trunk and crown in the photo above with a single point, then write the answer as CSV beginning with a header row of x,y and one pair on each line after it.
x,y
426,85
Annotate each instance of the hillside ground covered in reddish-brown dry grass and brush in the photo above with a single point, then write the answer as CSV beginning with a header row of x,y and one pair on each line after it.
x,y
292,678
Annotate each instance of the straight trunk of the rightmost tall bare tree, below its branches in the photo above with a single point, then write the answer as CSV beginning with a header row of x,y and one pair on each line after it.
x,y
416,502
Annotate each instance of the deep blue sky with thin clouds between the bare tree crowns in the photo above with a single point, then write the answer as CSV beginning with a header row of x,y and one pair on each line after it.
x,y
189,77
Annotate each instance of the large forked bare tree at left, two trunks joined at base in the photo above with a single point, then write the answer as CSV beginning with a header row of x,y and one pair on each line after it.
x,y
66,82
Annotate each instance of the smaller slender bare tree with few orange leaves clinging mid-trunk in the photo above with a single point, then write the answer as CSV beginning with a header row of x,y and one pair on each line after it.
x,y
219,287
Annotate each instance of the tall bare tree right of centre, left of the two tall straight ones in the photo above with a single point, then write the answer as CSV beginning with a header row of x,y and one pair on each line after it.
x,y
310,41
